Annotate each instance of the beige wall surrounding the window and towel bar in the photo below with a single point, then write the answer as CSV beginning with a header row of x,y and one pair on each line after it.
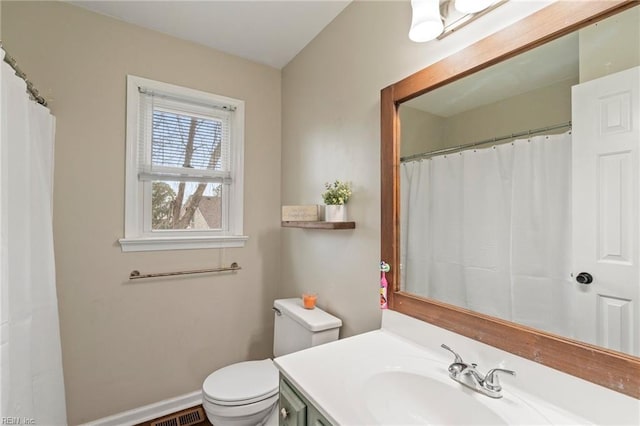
x,y
127,344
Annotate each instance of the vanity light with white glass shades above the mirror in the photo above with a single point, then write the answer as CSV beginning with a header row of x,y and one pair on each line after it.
x,y
433,19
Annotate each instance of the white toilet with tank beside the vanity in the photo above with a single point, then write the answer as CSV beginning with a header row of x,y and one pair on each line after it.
x,y
246,393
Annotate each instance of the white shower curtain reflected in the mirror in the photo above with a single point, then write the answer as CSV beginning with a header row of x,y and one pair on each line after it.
x,y
490,230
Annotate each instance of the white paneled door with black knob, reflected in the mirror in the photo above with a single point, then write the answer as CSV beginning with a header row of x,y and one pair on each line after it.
x,y
606,229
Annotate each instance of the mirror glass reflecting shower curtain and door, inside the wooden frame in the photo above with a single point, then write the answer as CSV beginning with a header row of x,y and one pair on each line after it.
x,y
509,190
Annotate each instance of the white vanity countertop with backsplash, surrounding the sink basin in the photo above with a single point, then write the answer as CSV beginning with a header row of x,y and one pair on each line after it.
x,y
328,375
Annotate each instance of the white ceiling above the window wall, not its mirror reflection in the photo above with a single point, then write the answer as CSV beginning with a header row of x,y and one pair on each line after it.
x,y
265,31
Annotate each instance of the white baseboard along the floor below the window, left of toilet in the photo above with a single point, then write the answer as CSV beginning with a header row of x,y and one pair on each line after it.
x,y
151,411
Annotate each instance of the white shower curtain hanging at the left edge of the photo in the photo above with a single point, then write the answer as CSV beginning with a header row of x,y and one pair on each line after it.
x,y
30,357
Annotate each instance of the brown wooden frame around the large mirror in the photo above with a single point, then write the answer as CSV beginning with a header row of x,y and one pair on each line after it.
x,y
614,370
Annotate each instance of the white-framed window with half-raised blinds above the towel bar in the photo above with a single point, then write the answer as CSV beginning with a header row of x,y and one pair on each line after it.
x,y
184,168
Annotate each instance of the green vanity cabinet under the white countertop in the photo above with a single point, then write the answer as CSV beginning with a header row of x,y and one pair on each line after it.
x,y
295,409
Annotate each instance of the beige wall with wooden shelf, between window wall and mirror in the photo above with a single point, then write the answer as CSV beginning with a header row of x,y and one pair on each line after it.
x,y
331,130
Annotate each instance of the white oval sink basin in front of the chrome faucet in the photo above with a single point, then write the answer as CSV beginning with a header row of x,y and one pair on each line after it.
x,y
418,391
